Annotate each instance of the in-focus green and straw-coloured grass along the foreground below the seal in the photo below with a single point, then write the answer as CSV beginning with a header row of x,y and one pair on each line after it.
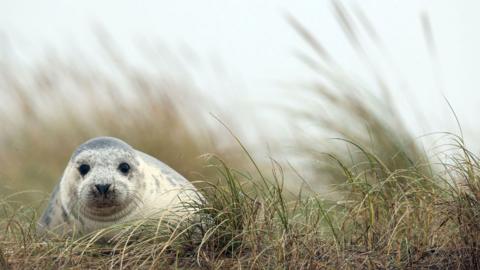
x,y
387,219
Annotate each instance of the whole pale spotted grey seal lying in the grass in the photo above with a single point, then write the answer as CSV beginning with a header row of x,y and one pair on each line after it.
x,y
108,182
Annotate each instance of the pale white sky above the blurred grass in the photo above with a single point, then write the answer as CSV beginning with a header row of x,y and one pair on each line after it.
x,y
254,43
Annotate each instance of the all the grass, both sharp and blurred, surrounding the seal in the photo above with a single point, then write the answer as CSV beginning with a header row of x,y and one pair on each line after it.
x,y
395,205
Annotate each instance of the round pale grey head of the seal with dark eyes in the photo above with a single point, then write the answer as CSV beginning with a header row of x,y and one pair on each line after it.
x,y
101,182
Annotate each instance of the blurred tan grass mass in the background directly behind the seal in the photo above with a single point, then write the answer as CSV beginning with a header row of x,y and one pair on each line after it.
x,y
56,105
